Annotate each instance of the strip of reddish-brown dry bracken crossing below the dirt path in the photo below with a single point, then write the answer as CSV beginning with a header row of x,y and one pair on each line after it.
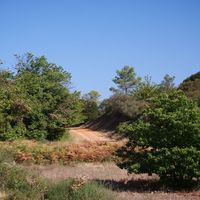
x,y
62,152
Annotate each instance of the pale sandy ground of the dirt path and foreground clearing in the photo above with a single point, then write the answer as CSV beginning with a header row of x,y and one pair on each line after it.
x,y
125,187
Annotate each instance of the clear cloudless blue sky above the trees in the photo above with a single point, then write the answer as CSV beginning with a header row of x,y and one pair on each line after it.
x,y
93,38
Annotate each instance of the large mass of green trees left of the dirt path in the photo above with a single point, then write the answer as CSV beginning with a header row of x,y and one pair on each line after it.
x,y
36,102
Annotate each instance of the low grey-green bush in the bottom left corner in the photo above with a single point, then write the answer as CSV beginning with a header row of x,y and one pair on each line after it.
x,y
20,184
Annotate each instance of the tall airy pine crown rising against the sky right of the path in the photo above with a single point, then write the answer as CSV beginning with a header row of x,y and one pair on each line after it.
x,y
126,80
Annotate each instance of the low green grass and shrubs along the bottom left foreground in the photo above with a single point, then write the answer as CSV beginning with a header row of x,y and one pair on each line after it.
x,y
18,183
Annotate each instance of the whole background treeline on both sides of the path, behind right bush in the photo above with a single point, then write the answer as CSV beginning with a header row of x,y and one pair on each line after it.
x,y
36,101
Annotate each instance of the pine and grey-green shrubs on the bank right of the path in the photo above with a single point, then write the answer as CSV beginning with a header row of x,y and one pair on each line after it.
x,y
132,93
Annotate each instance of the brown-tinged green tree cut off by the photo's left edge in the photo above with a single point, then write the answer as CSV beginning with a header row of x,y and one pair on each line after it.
x,y
13,108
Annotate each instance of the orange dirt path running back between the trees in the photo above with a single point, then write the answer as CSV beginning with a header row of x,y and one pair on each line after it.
x,y
81,134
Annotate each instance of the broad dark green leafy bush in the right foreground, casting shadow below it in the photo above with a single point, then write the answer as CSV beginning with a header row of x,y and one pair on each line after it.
x,y
165,140
